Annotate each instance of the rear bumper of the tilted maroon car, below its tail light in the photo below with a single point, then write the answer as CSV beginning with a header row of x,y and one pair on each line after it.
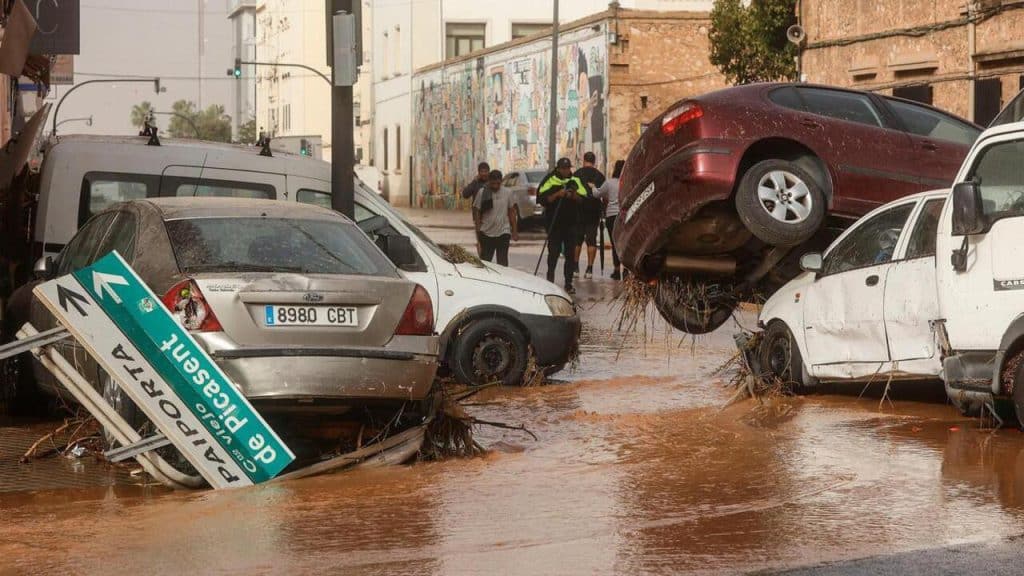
x,y
685,183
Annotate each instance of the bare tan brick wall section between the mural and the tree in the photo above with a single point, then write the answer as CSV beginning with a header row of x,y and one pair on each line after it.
x,y
657,62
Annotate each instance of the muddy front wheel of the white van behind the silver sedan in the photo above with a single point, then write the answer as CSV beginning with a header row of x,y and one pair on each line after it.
x,y
491,350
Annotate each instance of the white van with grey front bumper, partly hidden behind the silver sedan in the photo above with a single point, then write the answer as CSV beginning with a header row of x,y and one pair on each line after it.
x,y
492,319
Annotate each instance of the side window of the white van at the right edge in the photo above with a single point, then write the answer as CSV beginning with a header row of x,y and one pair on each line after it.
x,y
1000,174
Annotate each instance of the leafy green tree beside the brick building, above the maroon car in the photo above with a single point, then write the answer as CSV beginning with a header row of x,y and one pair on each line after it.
x,y
749,45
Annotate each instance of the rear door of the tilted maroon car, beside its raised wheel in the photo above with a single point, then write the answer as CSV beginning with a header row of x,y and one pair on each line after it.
x,y
856,140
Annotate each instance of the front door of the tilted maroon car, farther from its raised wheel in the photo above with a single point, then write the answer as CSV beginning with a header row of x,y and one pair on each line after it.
x,y
940,142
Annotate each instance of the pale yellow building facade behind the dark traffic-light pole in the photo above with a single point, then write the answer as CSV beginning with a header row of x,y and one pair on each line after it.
x,y
293,103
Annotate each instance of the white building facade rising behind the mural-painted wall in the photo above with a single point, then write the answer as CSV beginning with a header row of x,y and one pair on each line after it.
x,y
451,29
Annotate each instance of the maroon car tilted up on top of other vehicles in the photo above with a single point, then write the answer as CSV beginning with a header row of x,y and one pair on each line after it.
x,y
721,189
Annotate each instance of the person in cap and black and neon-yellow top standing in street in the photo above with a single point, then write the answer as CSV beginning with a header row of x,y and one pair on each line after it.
x,y
561,193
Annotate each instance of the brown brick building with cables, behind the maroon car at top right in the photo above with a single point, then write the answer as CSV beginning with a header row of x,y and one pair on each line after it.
x,y
967,58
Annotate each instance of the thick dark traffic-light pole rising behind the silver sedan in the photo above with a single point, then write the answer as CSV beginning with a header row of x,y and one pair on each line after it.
x,y
344,46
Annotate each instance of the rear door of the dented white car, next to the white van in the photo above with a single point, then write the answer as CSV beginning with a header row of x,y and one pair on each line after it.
x,y
912,301
